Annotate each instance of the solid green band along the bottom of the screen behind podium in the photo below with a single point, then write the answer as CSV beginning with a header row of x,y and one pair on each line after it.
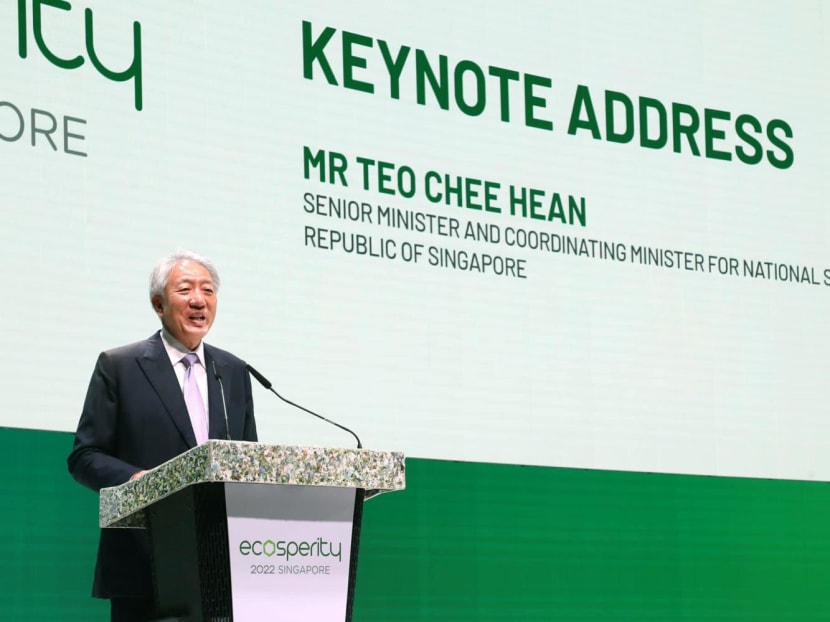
x,y
486,542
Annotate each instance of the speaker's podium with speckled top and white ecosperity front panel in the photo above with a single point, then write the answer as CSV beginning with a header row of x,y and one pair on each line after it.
x,y
248,532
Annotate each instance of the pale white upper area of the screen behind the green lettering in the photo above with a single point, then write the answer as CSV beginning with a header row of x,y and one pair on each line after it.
x,y
585,362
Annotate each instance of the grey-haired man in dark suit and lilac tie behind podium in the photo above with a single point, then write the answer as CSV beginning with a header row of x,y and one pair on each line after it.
x,y
135,415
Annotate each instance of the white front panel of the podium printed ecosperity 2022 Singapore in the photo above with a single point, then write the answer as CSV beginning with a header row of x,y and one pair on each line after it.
x,y
290,551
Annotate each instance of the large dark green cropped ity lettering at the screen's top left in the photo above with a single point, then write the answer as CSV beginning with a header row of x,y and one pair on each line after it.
x,y
133,72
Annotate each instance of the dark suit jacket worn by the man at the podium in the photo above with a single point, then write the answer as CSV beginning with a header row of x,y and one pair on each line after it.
x,y
135,418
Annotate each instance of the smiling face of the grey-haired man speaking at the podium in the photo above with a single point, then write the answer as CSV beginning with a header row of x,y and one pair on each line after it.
x,y
188,306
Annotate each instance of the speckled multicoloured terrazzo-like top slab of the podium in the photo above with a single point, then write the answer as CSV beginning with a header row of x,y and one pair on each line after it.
x,y
253,463
